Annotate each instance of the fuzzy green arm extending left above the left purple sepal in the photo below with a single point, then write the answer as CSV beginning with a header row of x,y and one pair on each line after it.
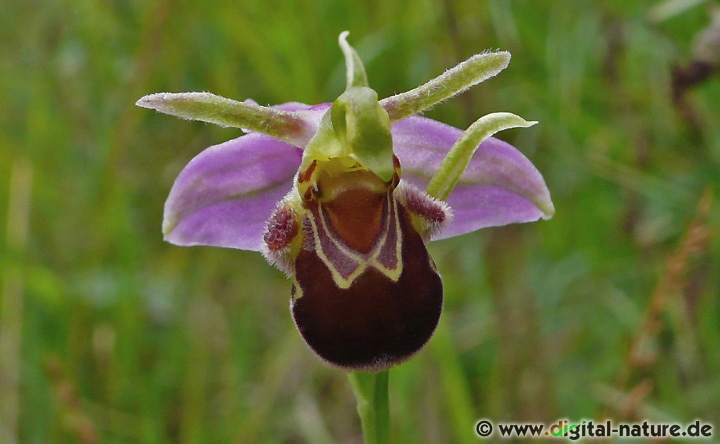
x,y
207,107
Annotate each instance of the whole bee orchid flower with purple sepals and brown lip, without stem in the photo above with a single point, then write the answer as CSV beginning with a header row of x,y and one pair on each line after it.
x,y
345,196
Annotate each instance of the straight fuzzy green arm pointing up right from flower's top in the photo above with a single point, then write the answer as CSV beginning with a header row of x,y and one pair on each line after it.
x,y
472,71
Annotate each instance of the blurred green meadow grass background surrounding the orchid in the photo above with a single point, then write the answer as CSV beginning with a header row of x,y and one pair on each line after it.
x,y
609,310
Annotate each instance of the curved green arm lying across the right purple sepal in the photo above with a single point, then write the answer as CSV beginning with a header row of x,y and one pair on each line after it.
x,y
458,158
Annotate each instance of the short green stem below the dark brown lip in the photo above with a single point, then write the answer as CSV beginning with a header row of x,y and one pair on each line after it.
x,y
371,394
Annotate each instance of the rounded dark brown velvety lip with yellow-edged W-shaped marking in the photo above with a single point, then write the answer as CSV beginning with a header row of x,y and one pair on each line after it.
x,y
382,313
